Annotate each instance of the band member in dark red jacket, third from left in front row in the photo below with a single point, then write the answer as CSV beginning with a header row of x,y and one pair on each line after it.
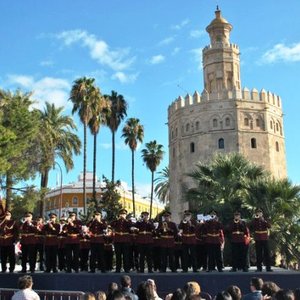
x,y
51,231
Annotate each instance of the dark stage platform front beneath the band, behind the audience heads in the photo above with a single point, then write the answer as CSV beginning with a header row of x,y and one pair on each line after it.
x,y
166,282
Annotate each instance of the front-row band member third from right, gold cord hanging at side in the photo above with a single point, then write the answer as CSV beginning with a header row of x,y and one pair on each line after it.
x,y
215,242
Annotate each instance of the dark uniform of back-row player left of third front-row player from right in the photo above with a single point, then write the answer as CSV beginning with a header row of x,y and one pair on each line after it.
x,y
201,237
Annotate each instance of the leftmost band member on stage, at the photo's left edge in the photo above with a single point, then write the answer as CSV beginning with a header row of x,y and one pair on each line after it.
x,y
8,236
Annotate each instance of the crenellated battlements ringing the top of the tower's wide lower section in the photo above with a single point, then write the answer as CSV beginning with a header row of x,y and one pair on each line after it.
x,y
245,94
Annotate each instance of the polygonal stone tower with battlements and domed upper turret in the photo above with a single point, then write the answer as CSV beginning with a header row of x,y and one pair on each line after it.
x,y
223,118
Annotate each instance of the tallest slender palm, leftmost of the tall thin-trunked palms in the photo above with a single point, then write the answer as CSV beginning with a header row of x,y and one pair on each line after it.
x,y
81,96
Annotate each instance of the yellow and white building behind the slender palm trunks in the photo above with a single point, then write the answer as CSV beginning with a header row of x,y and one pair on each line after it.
x,y
63,199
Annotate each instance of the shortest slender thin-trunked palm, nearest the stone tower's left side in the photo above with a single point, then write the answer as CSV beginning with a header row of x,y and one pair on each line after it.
x,y
152,156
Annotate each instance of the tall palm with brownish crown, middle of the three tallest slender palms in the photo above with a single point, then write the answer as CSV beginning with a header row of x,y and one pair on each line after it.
x,y
100,110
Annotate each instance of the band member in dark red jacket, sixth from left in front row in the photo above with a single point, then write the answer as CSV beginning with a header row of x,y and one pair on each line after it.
x,y
122,240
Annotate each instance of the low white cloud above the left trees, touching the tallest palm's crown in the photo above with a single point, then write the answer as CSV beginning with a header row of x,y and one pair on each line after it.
x,y
53,90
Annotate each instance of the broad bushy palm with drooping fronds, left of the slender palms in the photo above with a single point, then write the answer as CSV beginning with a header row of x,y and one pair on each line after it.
x,y
56,140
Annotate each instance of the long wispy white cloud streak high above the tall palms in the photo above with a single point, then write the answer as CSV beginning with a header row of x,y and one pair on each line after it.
x,y
118,59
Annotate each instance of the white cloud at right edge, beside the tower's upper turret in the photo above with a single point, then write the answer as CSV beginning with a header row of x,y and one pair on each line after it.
x,y
281,52
